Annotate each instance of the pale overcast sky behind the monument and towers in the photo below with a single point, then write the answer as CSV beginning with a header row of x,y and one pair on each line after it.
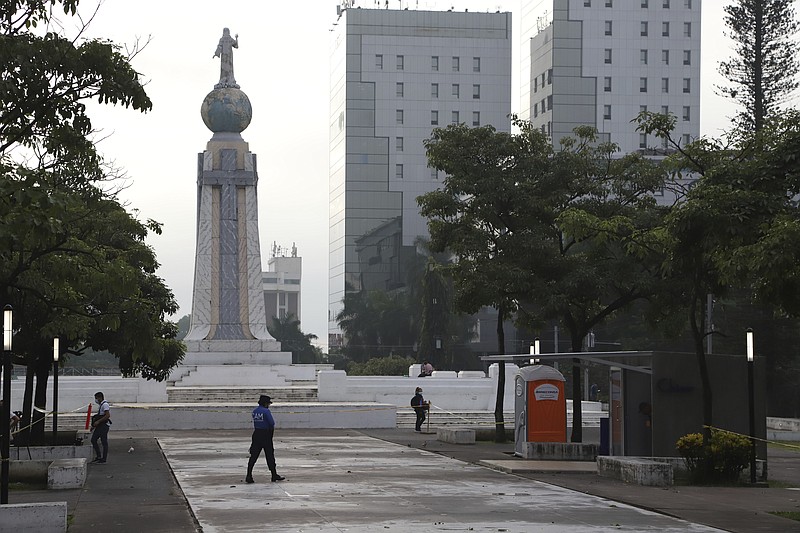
x,y
282,64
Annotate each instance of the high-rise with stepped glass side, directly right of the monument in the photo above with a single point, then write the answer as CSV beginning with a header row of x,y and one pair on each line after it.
x,y
396,75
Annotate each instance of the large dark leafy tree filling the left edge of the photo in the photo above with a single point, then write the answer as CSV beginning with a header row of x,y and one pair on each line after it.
x,y
73,261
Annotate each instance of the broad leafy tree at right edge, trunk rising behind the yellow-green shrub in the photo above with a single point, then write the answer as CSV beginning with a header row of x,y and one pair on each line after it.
x,y
737,228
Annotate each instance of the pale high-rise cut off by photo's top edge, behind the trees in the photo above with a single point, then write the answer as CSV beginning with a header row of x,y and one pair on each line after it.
x,y
602,62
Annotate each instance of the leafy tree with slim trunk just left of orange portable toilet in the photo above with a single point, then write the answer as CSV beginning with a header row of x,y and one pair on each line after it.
x,y
477,216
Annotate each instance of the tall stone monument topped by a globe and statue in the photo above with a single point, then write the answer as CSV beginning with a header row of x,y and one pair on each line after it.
x,y
228,322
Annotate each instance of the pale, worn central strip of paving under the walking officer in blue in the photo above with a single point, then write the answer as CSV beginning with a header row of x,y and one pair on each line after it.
x,y
356,483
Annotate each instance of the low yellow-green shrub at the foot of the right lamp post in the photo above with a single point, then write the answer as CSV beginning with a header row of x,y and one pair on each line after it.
x,y
722,461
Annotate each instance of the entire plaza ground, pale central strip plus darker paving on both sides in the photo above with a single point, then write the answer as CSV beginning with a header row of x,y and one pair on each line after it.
x,y
391,480
